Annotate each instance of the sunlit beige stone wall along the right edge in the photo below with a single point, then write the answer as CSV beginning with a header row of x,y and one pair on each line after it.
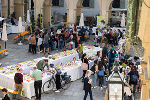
x,y
144,29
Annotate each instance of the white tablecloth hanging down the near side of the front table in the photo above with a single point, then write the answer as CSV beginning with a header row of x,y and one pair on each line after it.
x,y
8,80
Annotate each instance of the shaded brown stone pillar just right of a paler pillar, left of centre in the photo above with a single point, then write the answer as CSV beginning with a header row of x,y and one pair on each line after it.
x,y
46,15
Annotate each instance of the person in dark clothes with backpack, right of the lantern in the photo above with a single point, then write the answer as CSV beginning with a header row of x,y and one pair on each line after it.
x,y
134,77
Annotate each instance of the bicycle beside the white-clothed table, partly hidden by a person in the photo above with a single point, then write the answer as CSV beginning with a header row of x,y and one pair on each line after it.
x,y
50,84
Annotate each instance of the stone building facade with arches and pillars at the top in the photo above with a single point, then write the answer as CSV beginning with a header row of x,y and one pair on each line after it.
x,y
57,9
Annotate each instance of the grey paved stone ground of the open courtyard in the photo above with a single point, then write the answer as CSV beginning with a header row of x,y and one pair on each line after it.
x,y
19,54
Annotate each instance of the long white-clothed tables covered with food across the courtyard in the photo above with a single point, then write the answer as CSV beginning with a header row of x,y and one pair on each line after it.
x,y
68,61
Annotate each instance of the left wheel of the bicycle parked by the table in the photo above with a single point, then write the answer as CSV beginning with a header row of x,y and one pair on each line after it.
x,y
48,86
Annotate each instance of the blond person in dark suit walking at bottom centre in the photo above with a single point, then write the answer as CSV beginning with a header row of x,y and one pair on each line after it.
x,y
88,85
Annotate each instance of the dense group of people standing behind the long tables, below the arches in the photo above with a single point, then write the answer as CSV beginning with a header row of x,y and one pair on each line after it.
x,y
59,39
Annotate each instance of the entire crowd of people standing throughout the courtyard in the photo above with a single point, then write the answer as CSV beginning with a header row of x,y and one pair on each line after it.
x,y
112,55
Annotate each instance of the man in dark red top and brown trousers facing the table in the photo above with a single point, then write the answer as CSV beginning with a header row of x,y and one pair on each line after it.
x,y
18,78
